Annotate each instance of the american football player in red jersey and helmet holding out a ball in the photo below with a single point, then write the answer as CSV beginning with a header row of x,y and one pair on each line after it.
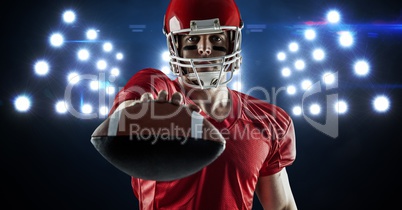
x,y
204,40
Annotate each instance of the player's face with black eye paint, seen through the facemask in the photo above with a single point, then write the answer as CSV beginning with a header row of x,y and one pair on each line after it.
x,y
204,46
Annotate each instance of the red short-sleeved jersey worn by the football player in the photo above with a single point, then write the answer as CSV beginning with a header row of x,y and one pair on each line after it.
x,y
260,141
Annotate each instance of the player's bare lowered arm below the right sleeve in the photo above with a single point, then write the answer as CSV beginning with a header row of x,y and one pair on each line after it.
x,y
274,192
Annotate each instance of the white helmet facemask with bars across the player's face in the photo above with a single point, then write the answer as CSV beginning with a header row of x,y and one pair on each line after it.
x,y
189,68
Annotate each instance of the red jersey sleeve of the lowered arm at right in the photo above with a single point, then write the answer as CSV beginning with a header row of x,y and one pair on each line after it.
x,y
283,152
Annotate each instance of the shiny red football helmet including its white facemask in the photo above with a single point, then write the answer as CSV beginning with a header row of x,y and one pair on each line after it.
x,y
204,17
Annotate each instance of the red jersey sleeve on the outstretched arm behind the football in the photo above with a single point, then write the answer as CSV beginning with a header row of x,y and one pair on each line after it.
x,y
145,80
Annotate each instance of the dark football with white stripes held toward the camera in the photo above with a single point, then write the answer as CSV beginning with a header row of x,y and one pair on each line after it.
x,y
158,141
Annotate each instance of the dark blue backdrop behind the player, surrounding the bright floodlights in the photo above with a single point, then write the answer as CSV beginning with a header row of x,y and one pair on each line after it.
x,y
48,162
